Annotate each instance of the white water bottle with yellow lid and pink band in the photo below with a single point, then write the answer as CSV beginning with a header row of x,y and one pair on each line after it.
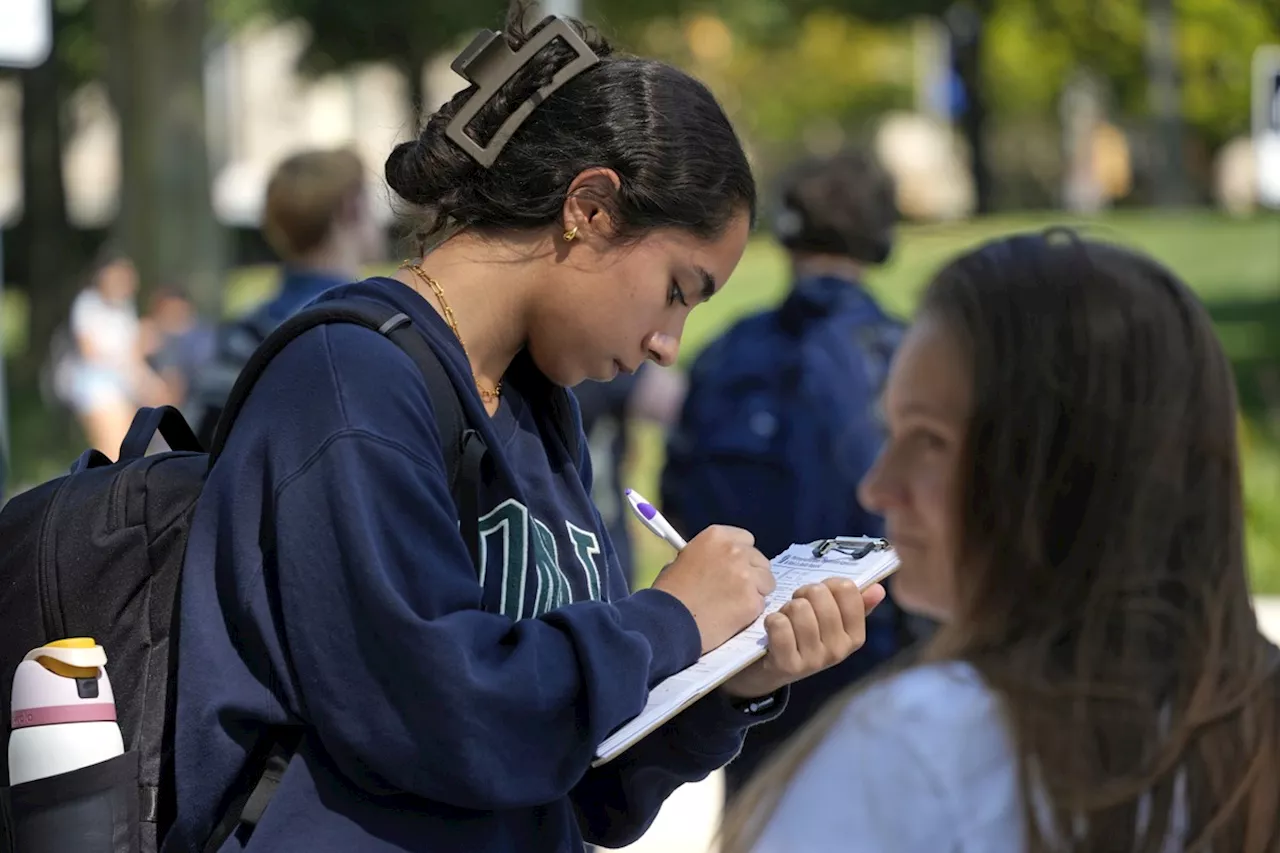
x,y
63,711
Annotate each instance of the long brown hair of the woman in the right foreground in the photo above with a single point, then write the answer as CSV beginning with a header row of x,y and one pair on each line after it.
x,y
1104,594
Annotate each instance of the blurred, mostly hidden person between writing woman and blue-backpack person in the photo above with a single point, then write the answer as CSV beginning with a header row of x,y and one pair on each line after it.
x,y
652,394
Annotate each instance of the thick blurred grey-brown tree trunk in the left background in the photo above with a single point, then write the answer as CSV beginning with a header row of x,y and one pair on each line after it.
x,y
157,76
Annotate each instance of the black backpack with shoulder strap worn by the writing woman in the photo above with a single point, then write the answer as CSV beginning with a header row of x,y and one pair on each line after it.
x,y
99,554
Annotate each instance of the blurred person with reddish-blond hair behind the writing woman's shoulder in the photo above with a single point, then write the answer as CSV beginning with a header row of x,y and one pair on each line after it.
x,y
319,220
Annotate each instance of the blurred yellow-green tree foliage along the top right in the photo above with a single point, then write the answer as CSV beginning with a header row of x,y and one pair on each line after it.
x,y
796,63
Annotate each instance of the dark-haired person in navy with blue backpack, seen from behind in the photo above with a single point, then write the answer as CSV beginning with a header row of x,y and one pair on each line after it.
x,y
781,423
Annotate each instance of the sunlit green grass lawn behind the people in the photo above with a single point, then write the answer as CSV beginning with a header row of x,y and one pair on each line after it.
x,y
1235,266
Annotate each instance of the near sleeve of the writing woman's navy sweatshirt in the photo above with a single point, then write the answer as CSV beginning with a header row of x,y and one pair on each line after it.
x,y
400,673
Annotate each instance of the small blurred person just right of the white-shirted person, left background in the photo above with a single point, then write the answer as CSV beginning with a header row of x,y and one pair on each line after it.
x,y
177,341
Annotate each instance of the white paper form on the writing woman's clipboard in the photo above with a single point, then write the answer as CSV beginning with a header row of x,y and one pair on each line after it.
x,y
794,568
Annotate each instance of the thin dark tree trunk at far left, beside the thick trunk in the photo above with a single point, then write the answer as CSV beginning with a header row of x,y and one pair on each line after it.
x,y
52,247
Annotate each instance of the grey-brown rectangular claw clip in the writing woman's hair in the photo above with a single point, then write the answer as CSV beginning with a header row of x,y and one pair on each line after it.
x,y
490,63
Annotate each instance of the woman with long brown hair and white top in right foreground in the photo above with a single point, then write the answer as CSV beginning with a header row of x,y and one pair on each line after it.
x,y
1063,485
